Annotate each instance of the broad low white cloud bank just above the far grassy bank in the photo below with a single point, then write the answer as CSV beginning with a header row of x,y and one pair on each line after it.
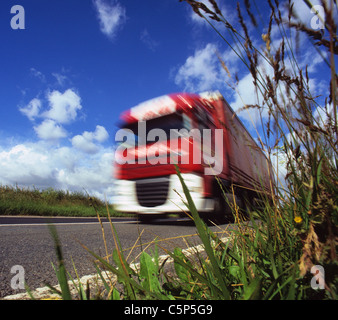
x,y
45,166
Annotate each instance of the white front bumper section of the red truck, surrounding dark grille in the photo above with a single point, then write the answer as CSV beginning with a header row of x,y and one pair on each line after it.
x,y
140,196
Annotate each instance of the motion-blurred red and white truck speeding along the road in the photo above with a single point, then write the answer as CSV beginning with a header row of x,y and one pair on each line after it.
x,y
202,135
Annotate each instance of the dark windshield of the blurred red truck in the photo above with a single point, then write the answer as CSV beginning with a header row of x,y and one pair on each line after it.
x,y
166,123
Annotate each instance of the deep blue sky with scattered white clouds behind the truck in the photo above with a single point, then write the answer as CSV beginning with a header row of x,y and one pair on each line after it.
x,y
78,64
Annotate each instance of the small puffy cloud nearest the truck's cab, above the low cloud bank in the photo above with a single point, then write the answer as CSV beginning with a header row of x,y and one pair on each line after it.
x,y
85,142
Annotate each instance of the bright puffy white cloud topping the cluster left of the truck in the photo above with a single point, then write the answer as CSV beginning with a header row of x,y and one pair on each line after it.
x,y
63,106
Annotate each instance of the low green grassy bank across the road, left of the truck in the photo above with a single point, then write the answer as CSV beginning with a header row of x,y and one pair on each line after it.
x,y
49,202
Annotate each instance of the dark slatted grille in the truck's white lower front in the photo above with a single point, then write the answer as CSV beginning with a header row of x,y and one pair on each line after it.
x,y
152,192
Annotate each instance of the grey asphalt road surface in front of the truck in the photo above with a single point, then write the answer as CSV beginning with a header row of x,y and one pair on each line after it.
x,y
27,242
